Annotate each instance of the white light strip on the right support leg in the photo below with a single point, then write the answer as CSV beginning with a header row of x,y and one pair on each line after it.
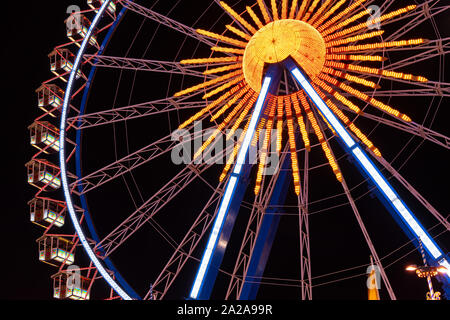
x,y
370,168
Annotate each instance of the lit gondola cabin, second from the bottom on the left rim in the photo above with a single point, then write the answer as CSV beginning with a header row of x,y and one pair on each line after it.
x,y
55,250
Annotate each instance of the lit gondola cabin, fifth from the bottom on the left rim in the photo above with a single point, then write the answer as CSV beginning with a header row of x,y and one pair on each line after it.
x,y
44,136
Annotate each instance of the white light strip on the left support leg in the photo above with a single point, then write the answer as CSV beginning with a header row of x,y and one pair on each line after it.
x,y
230,190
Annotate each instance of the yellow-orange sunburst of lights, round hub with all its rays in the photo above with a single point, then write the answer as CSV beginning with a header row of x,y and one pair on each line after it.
x,y
320,37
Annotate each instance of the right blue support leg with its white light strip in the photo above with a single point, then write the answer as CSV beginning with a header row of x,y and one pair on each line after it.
x,y
405,217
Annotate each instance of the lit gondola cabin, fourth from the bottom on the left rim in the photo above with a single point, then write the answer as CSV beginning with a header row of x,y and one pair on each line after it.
x,y
42,173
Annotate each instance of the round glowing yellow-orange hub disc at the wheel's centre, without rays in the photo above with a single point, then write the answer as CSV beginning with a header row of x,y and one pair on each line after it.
x,y
280,40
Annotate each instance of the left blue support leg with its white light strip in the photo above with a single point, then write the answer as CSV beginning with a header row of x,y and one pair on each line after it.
x,y
230,203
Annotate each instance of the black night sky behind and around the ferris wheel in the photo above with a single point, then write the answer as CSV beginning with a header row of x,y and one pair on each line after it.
x,y
336,240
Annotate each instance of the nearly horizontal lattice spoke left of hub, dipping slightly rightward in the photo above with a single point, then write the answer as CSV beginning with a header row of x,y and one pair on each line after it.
x,y
146,65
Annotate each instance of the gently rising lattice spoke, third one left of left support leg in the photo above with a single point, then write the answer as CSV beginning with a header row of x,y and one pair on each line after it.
x,y
130,162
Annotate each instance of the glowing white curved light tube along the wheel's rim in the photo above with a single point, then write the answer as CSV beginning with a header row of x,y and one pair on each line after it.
x,y
62,160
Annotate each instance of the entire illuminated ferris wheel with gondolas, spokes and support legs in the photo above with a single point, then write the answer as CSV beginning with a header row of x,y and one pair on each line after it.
x,y
193,137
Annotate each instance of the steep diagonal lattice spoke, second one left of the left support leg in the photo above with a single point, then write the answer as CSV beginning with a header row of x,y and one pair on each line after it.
x,y
153,205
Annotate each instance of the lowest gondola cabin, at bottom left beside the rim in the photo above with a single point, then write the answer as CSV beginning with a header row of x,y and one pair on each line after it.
x,y
70,285
